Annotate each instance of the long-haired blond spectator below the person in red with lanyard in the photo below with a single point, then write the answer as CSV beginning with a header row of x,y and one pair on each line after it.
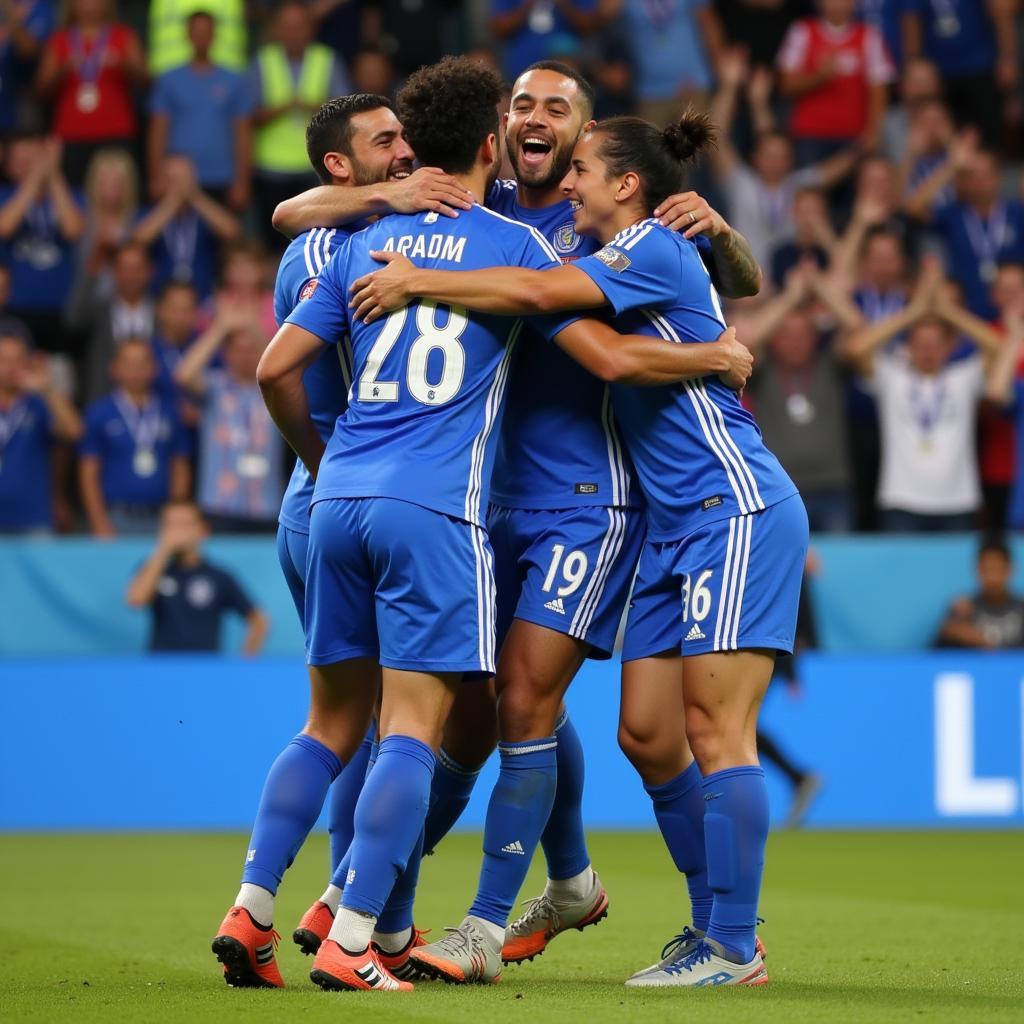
x,y
111,212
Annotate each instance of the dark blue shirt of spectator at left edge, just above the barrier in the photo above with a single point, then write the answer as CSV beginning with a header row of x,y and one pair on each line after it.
x,y
26,502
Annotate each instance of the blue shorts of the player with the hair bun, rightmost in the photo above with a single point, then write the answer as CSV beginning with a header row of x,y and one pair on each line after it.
x,y
733,585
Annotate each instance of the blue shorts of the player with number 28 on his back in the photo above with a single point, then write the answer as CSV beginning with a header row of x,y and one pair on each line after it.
x,y
392,579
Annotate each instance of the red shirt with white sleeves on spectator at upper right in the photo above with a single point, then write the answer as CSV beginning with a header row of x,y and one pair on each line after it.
x,y
838,109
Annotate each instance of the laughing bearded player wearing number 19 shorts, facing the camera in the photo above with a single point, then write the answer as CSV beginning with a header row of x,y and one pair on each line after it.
x,y
567,535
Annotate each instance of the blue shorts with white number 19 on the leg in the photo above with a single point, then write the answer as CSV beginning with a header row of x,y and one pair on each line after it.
x,y
569,570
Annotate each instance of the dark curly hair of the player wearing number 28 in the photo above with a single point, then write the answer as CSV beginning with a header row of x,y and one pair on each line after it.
x,y
448,110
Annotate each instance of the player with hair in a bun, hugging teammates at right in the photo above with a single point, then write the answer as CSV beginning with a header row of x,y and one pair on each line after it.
x,y
719,580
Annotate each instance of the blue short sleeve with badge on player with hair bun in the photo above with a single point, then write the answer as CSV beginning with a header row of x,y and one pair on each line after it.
x,y
636,271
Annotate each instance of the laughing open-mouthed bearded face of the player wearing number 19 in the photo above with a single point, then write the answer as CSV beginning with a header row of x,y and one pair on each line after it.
x,y
544,122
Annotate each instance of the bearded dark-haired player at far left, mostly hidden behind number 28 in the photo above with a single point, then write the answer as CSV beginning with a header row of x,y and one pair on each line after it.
x,y
352,142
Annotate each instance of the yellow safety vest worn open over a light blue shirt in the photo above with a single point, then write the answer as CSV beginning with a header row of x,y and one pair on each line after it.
x,y
281,144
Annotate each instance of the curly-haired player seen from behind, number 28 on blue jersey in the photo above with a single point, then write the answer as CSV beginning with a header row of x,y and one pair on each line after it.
x,y
400,565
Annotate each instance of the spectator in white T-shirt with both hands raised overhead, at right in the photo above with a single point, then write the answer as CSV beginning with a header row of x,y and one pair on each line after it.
x,y
928,406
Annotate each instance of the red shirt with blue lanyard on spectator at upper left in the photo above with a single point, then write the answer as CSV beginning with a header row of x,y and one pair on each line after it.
x,y
107,113
